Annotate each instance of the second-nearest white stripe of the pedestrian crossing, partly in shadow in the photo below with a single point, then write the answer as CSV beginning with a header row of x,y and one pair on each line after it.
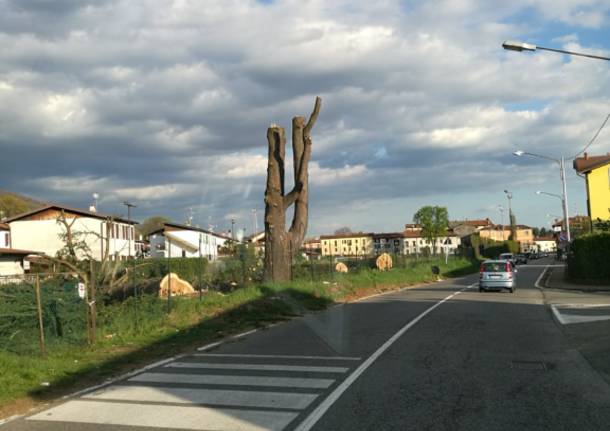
x,y
281,400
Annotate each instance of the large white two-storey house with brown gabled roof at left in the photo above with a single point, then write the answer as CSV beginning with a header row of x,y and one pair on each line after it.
x,y
40,230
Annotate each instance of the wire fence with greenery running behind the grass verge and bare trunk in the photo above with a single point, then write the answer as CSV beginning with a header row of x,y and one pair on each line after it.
x,y
43,312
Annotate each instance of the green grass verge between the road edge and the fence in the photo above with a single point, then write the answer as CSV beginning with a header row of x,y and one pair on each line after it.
x,y
127,338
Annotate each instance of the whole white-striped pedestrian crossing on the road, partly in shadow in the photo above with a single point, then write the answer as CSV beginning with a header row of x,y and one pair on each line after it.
x,y
207,391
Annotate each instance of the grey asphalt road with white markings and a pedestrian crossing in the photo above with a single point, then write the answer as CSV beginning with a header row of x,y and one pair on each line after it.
x,y
438,357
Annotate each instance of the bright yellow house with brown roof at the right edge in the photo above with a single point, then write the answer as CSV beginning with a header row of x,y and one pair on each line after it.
x,y
596,170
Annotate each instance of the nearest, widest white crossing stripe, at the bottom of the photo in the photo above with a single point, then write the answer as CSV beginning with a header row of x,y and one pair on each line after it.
x,y
157,416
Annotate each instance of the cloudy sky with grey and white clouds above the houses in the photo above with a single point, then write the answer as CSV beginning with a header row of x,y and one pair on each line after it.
x,y
166,104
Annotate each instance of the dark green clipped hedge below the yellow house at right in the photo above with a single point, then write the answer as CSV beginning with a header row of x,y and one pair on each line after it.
x,y
589,258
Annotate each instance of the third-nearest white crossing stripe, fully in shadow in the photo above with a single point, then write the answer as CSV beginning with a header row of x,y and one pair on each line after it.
x,y
205,379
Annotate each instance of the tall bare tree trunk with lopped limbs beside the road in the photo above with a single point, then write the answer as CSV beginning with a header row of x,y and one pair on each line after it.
x,y
282,245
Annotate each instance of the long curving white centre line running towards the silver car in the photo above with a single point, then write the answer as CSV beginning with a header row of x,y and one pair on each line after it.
x,y
319,411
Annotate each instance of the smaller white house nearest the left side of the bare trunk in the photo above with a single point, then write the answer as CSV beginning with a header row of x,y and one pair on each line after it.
x,y
178,240
